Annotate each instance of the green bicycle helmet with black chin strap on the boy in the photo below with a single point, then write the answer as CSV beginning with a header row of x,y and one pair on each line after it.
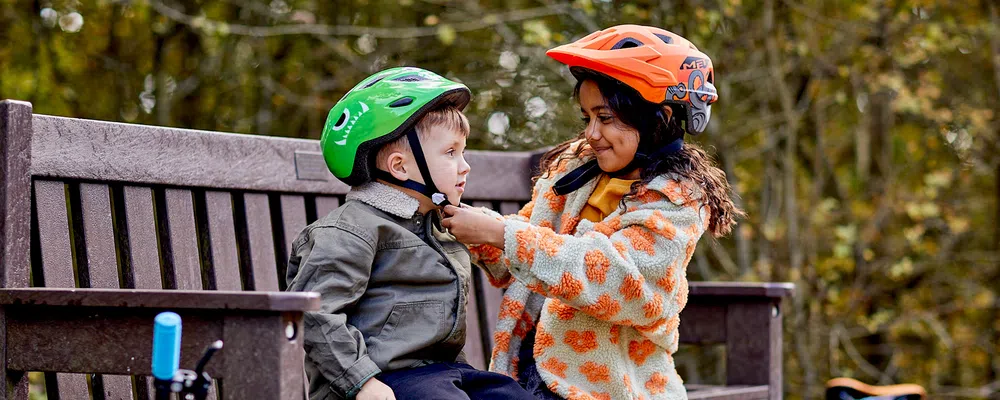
x,y
379,110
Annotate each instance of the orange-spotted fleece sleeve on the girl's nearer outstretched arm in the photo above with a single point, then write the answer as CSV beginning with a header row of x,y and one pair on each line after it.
x,y
628,270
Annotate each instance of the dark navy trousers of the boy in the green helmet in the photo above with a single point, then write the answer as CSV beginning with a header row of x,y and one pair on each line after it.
x,y
447,381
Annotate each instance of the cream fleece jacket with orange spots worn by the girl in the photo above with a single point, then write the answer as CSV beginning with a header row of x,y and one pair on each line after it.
x,y
604,297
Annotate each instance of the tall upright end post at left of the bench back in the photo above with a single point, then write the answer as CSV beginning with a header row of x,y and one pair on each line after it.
x,y
15,193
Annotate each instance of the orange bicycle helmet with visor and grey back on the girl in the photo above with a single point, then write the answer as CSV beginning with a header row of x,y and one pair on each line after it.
x,y
662,66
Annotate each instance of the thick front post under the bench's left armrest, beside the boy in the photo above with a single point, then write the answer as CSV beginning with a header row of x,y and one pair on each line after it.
x,y
261,361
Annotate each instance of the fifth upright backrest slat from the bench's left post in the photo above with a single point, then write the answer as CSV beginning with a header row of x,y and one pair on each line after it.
x,y
222,236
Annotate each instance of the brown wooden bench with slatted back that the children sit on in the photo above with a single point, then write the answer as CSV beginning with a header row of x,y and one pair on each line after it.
x,y
102,225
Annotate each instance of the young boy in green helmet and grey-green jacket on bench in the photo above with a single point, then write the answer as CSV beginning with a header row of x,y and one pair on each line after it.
x,y
393,284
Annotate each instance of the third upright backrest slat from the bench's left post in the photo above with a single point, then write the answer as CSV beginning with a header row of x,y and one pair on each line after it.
x,y
143,251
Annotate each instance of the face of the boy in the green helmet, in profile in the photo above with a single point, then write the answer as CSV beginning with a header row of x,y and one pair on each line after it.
x,y
444,150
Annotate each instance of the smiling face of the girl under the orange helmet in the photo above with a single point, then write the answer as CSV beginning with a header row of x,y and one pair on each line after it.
x,y
613,141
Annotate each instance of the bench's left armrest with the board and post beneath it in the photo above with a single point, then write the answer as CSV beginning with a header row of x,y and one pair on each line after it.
x,y
111,332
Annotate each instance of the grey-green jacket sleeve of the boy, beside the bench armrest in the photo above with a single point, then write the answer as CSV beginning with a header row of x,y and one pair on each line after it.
x,y
336,263
